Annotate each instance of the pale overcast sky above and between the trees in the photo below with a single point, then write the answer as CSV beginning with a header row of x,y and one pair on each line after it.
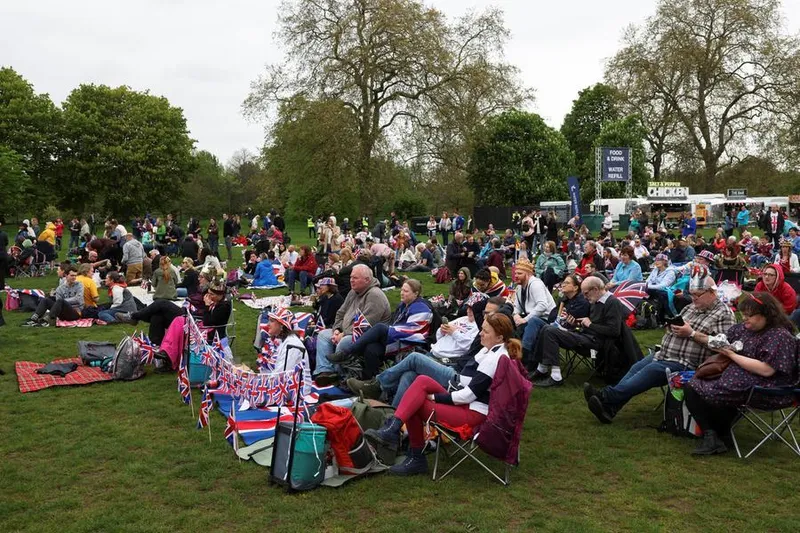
x,y
203,54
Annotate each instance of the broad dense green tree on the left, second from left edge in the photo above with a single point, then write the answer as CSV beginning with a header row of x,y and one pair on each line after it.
x,y
125,151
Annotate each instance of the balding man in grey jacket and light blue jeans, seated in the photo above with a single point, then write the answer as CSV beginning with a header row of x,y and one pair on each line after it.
x,y
365,296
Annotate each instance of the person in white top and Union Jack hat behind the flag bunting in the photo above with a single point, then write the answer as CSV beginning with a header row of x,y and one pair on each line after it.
x,y
290,352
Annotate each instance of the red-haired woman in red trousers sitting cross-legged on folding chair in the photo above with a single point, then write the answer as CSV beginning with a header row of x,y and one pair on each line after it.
x,y
468,405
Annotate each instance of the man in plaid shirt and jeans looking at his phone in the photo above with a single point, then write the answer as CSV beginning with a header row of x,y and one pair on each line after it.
x,y
683,347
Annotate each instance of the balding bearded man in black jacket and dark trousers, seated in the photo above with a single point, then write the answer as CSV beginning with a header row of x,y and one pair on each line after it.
x,y
604,322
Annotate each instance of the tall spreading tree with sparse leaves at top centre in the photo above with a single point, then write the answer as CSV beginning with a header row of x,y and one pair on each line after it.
x,y
382,59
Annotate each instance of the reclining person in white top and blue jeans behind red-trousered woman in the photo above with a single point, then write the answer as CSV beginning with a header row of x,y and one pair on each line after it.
x,y
454,341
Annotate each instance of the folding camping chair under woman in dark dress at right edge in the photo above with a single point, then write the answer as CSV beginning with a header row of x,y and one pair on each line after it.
x,y
766,424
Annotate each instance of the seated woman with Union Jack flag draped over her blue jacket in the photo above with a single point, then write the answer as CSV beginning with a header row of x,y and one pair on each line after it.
x,y
411,322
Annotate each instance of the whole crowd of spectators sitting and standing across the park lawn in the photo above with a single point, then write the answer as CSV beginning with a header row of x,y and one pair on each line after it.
x,y
526,293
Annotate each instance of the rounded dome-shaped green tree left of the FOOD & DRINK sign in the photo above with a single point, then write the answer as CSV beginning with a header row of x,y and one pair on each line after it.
x,y
519,160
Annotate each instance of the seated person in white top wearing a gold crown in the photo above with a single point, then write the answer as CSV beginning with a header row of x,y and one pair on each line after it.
x,y
532,305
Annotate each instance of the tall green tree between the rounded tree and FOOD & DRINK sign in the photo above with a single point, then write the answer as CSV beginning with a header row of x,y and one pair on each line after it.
x,y
595,107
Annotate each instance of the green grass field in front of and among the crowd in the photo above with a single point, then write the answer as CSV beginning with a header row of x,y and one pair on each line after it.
x,y
127,457
